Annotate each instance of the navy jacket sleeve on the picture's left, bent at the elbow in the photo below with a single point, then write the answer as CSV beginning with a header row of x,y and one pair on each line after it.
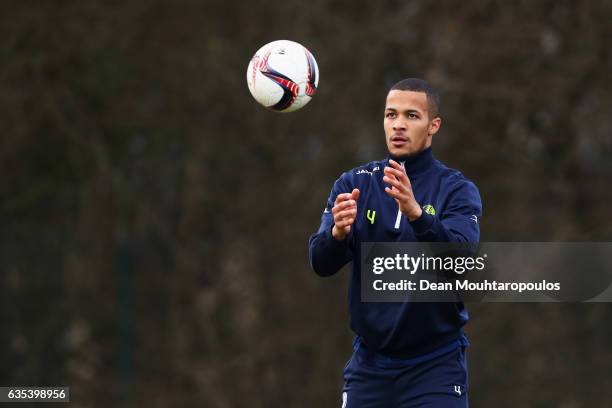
x,y
327,255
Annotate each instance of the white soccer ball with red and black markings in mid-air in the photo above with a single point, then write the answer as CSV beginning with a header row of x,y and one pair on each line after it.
x,y
283,76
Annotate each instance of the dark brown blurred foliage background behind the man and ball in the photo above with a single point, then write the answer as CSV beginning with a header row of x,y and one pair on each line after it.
x,y
155,218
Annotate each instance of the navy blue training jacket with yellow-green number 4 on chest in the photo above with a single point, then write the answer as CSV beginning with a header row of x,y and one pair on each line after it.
x,y
402,329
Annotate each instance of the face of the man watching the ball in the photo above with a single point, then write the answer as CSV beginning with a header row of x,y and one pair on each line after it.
x,y
408,127
